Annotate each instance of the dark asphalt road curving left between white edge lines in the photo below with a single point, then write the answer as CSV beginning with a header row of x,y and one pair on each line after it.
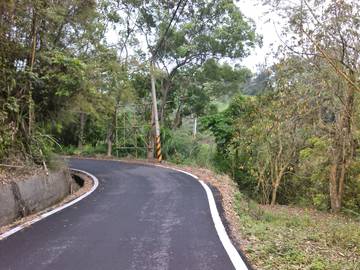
x,y
140,217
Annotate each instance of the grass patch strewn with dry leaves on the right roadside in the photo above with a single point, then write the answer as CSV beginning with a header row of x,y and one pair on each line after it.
x,y
294,238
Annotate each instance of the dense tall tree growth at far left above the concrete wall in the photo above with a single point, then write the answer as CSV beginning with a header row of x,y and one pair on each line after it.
x,y
38,60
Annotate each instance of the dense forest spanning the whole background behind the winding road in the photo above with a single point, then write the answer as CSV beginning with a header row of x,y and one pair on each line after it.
x,y
288,134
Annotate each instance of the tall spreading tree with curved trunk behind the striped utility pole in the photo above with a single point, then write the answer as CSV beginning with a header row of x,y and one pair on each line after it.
x,y
197,31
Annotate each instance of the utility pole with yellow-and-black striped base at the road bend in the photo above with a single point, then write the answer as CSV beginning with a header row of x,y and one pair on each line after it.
x,y
155,112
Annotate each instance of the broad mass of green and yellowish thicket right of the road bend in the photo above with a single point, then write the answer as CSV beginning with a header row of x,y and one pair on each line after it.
x,y
281,153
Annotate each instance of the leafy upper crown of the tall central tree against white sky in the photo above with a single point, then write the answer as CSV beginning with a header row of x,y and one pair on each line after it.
x,y
210,28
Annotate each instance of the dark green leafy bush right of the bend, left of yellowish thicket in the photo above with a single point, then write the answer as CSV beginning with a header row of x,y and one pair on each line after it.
x,y
238,142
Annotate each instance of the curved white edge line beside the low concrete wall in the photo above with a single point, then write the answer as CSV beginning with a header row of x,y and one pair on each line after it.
x,y
46,214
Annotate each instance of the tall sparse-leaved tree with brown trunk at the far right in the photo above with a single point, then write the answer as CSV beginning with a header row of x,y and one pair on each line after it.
x,y
327,33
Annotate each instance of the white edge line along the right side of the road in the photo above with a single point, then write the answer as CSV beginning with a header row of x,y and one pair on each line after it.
x,y
233,254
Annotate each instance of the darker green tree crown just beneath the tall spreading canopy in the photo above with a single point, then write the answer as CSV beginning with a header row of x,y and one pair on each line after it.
x,y
197,88
